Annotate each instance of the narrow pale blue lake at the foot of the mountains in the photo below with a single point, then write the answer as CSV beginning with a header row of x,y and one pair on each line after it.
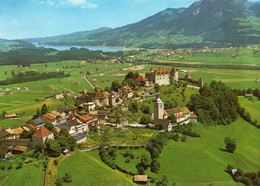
x,y
103,48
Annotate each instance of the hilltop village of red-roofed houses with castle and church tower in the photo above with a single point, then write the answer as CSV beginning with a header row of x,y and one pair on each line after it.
x,y
90,111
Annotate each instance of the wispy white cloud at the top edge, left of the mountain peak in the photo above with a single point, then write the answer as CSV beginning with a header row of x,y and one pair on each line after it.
x,y
73,3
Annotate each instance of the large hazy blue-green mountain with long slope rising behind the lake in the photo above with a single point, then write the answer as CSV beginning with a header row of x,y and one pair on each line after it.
x,y
205,22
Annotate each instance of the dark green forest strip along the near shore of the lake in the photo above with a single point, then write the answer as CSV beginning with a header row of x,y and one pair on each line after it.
x,y
27,56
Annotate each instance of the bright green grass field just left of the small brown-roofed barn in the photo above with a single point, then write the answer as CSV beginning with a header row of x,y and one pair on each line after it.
x,y
88,169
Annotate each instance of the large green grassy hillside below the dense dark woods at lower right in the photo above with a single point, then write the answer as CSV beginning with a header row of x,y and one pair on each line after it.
x,y
201,161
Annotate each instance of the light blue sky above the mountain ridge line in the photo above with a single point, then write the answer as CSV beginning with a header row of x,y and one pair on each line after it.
x,y
41,18
